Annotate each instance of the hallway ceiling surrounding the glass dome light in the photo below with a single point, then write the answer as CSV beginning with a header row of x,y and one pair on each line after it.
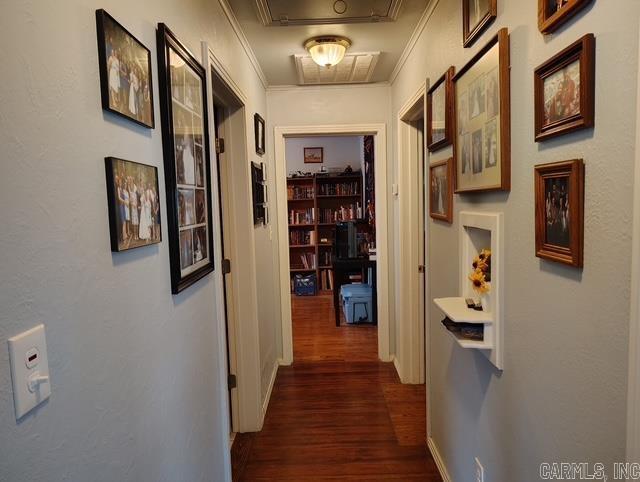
x,y
277,29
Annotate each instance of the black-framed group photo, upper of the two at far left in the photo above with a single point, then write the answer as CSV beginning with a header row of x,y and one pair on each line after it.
x,y
126,85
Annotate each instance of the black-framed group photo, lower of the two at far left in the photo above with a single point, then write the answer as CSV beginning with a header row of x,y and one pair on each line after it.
x,y
134,204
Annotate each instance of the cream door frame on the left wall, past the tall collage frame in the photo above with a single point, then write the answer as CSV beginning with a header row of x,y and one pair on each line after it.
x,y
247,415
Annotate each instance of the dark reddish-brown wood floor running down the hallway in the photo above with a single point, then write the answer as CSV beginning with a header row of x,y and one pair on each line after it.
x,y
337,413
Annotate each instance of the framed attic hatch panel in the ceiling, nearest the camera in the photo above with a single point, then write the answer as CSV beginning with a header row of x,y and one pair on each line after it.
x,y
322,12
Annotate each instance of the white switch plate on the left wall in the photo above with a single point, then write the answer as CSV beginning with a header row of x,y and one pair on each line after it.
x,y
28,356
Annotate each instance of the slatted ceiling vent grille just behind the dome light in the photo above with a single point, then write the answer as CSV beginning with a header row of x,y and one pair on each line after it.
x,y
355,68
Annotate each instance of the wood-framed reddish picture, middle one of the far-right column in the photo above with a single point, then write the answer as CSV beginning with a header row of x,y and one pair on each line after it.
x,y
564,89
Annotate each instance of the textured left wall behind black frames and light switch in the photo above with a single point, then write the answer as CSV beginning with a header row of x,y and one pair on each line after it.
x,y
136,394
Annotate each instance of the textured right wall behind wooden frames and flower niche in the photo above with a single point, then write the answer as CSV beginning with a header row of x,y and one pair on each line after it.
x,y
563,391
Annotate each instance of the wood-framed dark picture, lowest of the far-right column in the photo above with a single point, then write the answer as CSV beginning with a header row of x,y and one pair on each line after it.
x,y
559,193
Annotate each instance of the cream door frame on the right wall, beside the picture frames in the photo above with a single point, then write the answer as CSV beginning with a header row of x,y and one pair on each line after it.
x,y
411,314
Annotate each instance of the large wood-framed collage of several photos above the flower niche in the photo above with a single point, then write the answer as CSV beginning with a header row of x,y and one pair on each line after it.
x,y
482,146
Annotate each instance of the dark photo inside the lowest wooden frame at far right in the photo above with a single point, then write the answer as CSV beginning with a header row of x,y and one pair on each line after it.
x,y
557,211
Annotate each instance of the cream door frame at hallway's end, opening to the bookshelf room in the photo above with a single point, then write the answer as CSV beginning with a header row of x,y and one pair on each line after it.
x,y
381,187
